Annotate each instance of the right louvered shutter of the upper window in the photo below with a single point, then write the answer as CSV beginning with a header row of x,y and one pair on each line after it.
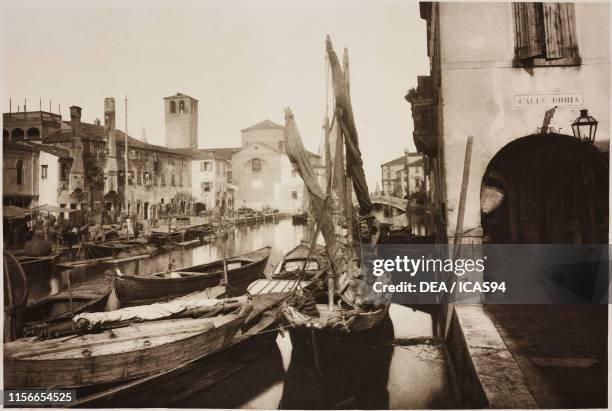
x,y
560,30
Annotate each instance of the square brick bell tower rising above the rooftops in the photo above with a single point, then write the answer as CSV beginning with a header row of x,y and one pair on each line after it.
x,y
181,116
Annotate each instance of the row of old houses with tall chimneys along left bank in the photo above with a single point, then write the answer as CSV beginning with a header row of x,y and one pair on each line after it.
x,y
158,178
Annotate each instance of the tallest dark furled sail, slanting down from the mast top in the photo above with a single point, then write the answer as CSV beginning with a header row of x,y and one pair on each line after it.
x,y
354,163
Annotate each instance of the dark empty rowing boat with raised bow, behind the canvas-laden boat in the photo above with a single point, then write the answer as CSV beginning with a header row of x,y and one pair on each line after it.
x,y
241,271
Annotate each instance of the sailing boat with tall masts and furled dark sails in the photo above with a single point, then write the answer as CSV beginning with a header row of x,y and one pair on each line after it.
x,y
320,331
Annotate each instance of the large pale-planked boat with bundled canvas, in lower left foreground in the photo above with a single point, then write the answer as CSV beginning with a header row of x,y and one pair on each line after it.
x,y
124,352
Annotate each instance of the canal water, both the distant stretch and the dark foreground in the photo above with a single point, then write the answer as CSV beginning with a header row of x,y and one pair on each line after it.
x,y
408,370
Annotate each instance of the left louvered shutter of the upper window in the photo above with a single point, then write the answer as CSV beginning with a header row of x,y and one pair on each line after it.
x,y
528,41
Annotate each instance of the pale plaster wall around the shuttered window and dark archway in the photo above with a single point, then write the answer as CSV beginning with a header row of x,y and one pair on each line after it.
x,y
480,88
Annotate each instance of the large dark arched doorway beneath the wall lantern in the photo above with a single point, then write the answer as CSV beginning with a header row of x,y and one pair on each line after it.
x,y
546,189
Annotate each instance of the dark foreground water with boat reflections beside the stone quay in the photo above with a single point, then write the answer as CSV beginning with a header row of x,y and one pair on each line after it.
x,y
378,375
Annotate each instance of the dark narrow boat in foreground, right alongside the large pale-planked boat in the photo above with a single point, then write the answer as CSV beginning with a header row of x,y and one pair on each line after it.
x,y
257,334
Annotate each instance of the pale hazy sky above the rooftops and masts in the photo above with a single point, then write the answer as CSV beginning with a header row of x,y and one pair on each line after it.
x,y
244,60
